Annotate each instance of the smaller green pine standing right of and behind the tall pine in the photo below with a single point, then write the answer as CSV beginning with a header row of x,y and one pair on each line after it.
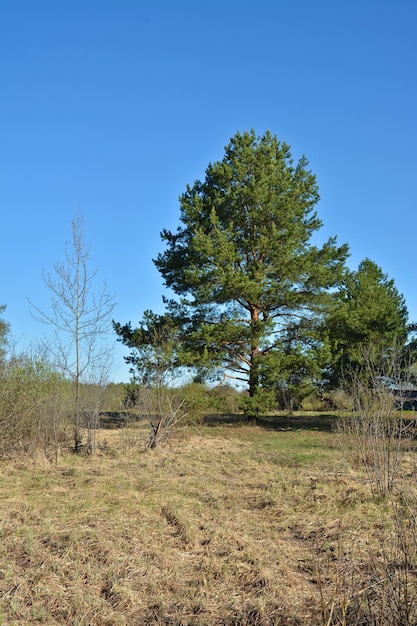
x,y
369,312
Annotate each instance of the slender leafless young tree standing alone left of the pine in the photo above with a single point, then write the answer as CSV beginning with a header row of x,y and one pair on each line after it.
x,y
81,318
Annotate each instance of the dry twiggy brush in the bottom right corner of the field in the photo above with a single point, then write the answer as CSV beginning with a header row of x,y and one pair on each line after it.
x,y
373,583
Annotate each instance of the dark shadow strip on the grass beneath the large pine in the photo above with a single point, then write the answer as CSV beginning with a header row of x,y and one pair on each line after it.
x,y
297,421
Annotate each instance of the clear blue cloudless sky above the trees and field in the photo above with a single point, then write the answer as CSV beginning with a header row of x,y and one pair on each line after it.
x,y
115,105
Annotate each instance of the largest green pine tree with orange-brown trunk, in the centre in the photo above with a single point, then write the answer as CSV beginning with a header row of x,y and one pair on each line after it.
x,y
242,263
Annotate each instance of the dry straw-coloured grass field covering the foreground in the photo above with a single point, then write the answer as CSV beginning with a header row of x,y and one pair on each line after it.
x,y
229,524
